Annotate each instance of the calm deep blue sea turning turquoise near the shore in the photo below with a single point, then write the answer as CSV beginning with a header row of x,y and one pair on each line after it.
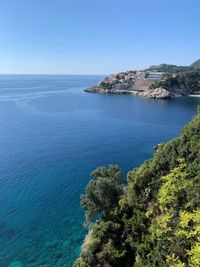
x,y
52,136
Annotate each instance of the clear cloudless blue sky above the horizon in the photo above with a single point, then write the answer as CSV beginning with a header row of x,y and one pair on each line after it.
x,y
96,36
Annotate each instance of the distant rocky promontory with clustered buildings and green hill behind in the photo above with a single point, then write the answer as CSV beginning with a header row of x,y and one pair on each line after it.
x,y
162,81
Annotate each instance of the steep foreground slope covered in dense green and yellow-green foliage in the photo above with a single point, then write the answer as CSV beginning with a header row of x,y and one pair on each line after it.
x,y
153,218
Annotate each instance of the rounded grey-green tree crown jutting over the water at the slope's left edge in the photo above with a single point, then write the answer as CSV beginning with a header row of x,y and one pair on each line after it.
x,y
102,192
